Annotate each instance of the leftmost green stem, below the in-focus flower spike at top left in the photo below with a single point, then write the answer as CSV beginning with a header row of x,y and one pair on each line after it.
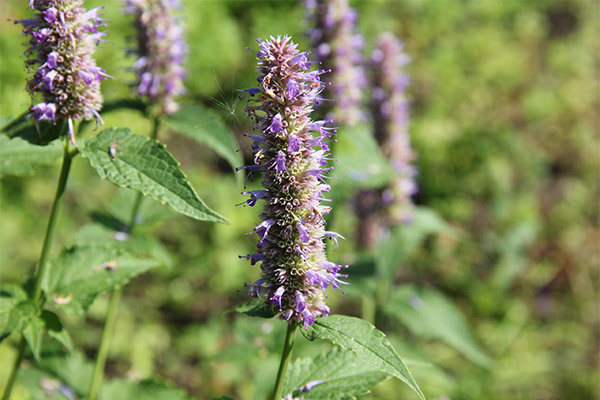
x,y
40,271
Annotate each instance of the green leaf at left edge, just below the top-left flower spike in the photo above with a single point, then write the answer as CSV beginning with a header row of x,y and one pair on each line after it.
x,y
19,157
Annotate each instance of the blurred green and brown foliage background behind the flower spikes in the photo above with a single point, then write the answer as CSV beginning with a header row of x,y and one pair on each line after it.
x,y
504,120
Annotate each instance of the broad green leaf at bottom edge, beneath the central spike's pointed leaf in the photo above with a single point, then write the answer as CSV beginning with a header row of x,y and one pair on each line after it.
x,y
344,376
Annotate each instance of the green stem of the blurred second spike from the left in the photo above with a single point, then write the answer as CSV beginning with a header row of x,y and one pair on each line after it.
x,y
113,307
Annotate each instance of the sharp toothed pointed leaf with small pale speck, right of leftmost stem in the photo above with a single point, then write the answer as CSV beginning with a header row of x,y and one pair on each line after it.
x,y
143,164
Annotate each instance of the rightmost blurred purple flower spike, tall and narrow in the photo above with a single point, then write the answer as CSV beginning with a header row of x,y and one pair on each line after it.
x,y
390,119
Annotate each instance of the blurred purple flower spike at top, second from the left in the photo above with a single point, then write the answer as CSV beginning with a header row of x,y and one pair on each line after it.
x,y
160,50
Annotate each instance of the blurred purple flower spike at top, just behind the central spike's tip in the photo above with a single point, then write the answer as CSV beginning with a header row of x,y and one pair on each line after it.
x,y
339,48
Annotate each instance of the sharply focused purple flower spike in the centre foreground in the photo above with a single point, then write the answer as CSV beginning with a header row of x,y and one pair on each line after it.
x,y
295,270
